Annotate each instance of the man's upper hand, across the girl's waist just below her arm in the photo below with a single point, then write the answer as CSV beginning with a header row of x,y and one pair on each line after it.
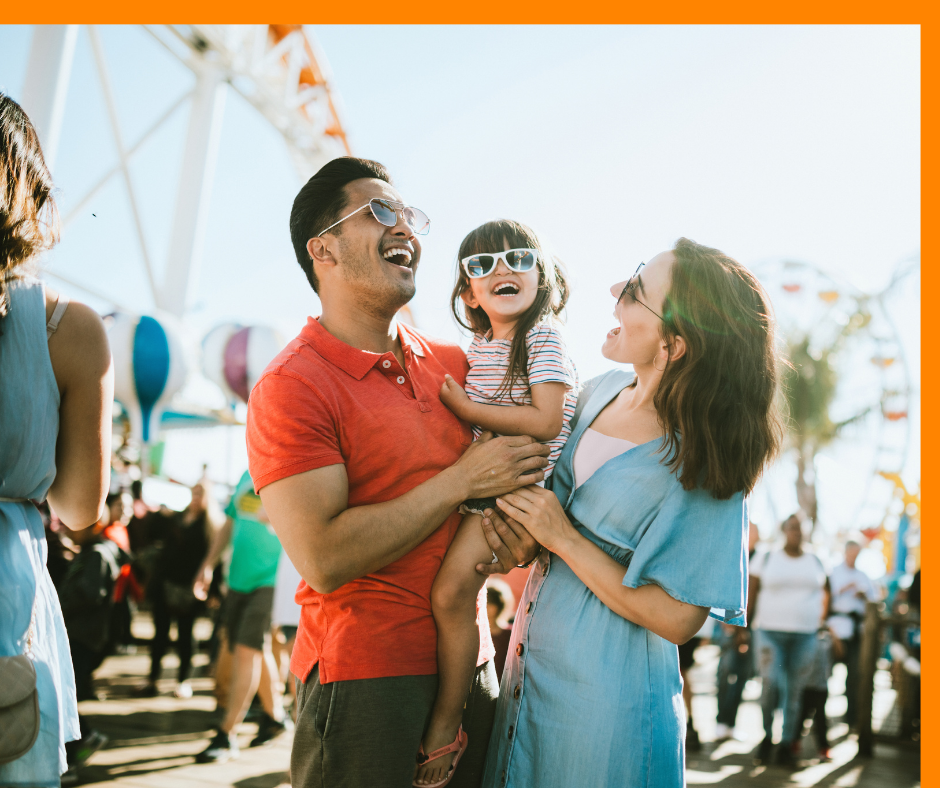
x,y
493,466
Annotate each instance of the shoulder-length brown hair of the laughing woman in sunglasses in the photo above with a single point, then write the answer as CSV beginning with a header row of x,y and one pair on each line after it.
x,y
717,402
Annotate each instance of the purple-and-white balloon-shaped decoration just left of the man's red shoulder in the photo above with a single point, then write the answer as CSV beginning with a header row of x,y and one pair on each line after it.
x,y
234,357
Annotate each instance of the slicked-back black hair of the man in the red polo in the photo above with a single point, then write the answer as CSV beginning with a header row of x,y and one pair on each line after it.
x,y
322,201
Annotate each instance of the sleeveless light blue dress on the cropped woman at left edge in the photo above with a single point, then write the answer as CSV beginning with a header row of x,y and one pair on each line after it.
x,y
29,426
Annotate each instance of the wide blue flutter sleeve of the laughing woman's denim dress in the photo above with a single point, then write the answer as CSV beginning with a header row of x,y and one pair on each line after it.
x,y
695,549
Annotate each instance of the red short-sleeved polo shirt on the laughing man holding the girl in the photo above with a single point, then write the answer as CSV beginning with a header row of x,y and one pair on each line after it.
x,y
322,402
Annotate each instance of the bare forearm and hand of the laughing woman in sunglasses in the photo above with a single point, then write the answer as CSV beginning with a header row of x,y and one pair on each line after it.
x,y
648,606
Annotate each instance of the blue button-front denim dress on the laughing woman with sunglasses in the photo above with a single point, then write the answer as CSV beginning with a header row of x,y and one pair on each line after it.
x,y
587,697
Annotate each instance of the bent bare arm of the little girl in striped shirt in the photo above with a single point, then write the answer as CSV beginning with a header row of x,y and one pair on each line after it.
x,y
542,420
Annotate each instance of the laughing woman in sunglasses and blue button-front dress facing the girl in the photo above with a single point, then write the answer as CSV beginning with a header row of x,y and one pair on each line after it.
x,y
644,532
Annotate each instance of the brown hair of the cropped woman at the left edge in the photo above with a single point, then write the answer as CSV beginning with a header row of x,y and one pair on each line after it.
x,y
29,222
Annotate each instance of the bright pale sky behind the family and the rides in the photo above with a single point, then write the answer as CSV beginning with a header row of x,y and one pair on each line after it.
x,y
770,143
